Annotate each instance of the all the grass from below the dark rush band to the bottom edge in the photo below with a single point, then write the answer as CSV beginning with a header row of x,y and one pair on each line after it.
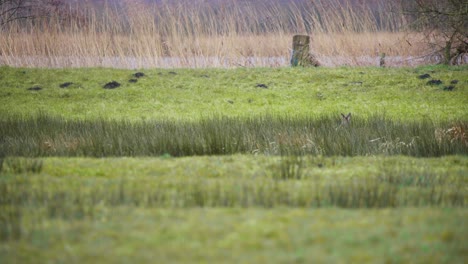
x,y
234,209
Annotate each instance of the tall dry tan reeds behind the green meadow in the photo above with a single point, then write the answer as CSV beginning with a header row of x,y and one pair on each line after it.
x,y
218,33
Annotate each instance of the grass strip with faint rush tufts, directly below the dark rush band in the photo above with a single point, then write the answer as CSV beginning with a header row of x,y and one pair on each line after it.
x,y
75,187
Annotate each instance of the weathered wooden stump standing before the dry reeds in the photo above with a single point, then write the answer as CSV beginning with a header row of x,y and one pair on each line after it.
x,y
301,52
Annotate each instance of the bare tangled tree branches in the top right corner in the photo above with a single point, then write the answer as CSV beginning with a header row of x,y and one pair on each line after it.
x,y
445,23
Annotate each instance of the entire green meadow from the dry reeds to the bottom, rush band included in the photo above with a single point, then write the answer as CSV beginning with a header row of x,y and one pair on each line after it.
x,y
197,166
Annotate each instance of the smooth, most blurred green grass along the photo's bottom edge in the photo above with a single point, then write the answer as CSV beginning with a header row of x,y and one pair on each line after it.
x,y
235,235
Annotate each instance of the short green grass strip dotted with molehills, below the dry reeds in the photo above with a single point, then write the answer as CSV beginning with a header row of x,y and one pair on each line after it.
x,y
191,94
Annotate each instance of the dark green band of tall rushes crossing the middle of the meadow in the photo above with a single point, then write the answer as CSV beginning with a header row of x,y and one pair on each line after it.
x,y
44,135
